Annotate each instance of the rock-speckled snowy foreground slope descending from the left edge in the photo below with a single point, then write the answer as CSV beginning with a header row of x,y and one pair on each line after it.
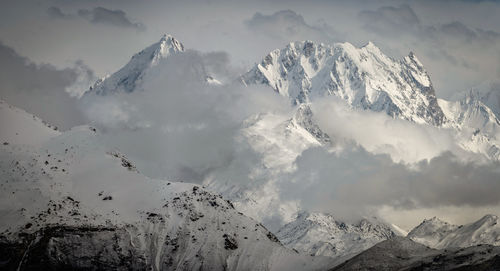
x,y
66,202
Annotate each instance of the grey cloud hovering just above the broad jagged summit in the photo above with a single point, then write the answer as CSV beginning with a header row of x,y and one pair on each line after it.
x,y
288,25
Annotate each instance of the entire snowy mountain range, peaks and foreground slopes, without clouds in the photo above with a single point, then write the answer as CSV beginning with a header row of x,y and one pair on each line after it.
x,y
66,190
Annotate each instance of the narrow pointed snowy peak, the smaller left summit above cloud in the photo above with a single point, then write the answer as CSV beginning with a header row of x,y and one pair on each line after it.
x,y
128,78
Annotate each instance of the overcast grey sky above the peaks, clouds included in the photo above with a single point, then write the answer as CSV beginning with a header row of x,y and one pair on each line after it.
x,y
458,41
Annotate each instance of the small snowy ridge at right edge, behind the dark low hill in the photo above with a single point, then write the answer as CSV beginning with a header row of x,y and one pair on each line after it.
x,y
438,234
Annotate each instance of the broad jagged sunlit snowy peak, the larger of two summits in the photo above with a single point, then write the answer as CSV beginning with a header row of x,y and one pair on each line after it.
x,y
364,77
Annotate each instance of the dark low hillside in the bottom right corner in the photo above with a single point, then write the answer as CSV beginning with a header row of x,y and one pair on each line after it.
x,y
403,254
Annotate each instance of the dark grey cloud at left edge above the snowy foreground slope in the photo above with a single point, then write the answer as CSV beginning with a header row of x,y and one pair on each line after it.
x,y
40,89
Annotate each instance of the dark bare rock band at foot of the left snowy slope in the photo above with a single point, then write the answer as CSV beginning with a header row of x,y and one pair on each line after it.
x,y
72,248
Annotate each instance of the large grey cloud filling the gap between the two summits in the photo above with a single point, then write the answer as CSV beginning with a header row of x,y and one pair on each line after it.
x,y
175,126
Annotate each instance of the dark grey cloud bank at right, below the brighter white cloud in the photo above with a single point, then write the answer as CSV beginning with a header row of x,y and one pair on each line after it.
x,y
357,183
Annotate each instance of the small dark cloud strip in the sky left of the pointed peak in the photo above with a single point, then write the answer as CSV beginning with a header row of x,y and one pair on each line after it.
x,y
100,15
